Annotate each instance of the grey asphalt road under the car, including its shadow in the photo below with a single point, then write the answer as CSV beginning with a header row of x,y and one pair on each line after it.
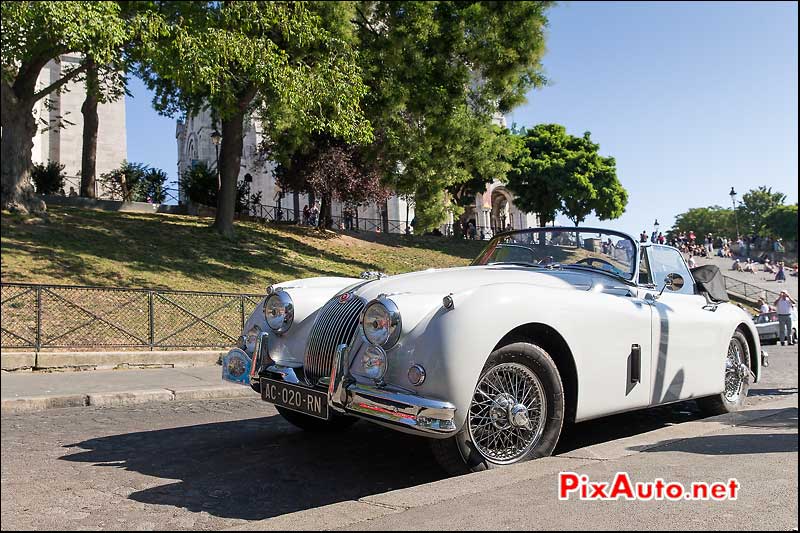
x,y
216,464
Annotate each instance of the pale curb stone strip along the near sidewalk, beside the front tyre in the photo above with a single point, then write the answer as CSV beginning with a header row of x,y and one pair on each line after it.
x,y
347,514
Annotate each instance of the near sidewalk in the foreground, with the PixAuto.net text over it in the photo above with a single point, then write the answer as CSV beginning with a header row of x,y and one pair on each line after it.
x,y
758,447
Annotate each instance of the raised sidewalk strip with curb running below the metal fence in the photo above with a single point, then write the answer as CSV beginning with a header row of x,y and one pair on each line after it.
x,y
21,392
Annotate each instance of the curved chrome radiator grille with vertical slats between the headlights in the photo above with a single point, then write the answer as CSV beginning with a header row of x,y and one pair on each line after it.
x,y
335,324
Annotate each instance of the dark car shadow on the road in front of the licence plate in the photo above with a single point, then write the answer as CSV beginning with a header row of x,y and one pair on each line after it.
x,y
259,468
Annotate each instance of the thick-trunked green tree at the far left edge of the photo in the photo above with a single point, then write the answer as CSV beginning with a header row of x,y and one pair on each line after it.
x,y
34,33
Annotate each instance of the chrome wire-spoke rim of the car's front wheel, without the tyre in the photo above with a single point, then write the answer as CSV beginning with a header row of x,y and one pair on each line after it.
x,y
508,413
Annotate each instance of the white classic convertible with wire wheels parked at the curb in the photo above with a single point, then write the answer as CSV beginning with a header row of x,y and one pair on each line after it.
x,y
547,326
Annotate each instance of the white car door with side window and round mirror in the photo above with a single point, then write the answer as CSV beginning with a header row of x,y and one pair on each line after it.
x,y
689,344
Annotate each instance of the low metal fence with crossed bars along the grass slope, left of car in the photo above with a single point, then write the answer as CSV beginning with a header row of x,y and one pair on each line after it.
x,y
59,316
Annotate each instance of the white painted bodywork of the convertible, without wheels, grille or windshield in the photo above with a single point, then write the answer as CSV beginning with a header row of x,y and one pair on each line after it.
x,y
683,340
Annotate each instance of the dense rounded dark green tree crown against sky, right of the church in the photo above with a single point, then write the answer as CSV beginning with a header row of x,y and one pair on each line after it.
x,y
563,173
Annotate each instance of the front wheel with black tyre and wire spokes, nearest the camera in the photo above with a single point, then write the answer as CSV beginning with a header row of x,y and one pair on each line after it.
x,y
516,413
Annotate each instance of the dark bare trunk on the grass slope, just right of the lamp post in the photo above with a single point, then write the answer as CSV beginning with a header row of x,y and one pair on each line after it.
x,y
229,164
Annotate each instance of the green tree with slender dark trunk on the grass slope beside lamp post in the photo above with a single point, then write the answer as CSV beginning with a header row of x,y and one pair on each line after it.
x,y
224,55
